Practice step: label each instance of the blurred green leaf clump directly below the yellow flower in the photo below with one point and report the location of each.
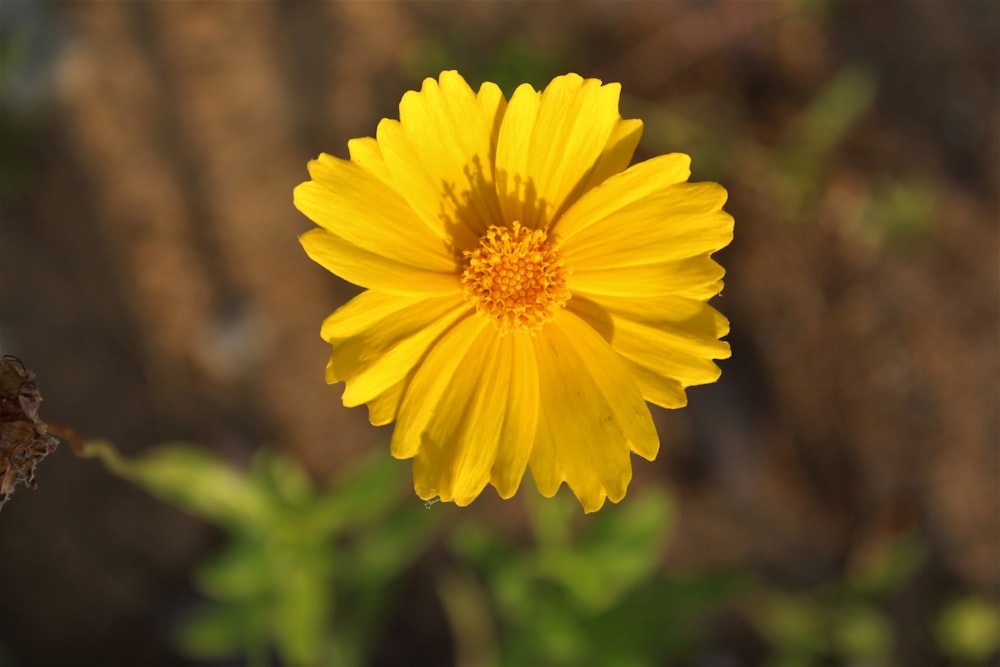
(599, 597)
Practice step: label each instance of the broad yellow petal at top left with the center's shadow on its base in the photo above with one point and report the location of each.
(440, 156)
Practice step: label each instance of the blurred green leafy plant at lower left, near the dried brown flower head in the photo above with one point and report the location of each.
(293, 552)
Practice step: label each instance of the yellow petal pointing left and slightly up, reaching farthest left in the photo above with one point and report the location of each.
(348, 201)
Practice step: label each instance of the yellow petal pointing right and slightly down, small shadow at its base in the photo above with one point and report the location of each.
(673, 338)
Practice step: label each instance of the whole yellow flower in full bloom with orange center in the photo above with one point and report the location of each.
(526, 290)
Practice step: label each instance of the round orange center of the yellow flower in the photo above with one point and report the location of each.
(515, 277)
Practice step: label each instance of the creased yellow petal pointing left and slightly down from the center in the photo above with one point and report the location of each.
(378, 338)
